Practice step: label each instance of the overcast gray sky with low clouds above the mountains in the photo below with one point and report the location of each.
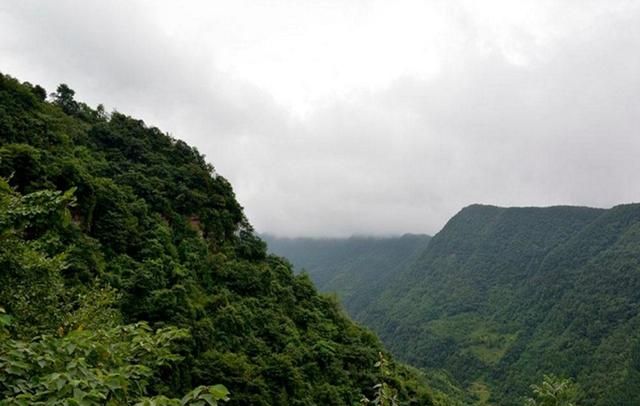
(337, 117)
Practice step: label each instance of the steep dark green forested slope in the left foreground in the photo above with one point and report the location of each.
(128, 273)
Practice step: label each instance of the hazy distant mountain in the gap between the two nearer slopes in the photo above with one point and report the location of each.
(355, 268)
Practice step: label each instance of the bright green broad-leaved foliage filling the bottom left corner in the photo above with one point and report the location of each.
(113, 366)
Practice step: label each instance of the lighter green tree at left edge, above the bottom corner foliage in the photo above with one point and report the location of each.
(31, 266)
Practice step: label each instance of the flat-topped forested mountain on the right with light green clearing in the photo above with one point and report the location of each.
(502, 296)
